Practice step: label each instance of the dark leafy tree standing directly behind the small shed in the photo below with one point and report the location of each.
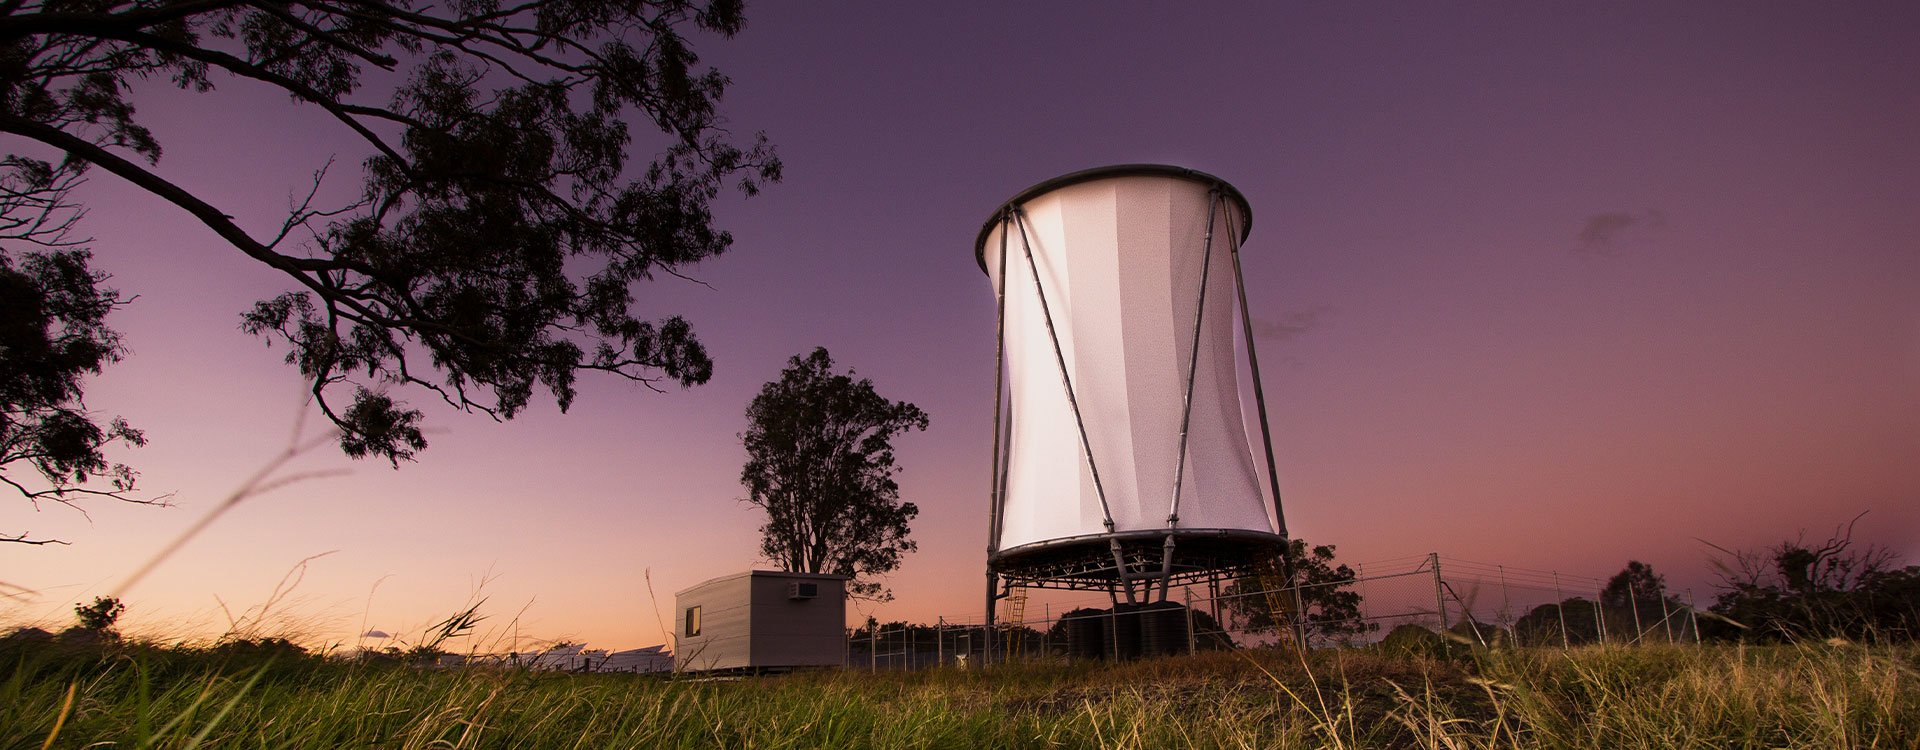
(821, 465)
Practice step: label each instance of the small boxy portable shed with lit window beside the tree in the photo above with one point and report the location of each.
(761, 621)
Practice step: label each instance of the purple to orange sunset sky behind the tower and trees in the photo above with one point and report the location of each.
(1539, 285)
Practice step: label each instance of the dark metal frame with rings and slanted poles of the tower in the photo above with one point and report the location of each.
(1126, 563)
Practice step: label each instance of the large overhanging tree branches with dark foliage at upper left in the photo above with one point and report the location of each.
(500, 229)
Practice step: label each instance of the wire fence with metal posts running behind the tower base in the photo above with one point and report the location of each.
(1477, 603)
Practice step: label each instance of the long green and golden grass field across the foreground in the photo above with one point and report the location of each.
(133, 695)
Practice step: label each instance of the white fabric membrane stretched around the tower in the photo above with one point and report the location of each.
(1120, 262)
